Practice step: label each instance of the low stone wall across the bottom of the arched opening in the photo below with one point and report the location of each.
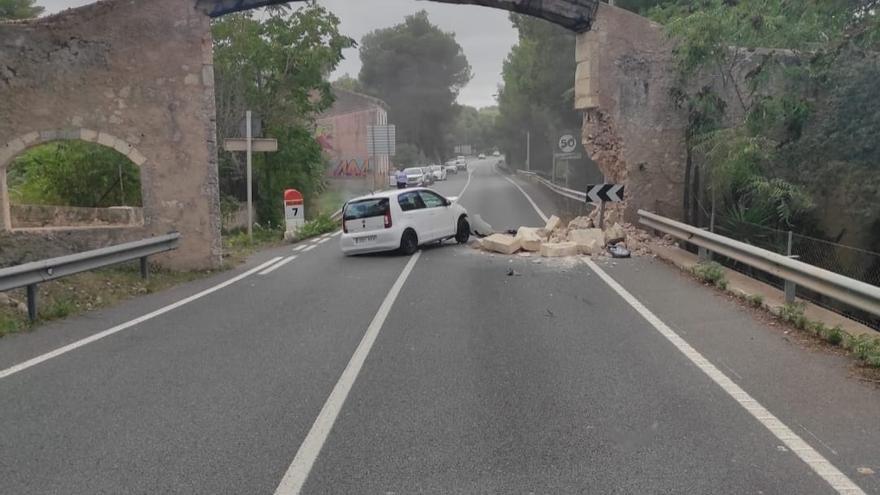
(40, 216)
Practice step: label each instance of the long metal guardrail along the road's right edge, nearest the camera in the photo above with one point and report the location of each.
(844, 289)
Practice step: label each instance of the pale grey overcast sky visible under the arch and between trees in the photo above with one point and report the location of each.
(485, 34)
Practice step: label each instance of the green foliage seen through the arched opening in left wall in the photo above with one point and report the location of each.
(74, 173)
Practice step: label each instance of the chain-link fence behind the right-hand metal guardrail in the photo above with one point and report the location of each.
(852, 262)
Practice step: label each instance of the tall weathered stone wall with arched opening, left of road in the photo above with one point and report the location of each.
(136, 76)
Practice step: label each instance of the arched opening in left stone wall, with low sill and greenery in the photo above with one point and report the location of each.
(61, 181)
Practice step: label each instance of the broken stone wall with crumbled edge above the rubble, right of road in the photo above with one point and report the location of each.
(632, 129)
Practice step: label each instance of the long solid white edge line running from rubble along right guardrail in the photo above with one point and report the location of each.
(838, 481)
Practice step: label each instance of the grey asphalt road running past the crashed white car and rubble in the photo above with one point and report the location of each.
(434, 374)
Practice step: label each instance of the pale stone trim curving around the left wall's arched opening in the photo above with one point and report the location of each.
(20, 144)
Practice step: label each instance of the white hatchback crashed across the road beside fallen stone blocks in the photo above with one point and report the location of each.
(401, 219)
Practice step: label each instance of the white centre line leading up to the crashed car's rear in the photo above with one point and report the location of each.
(299, 469)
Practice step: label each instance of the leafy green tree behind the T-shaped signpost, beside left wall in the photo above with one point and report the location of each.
(277, 68)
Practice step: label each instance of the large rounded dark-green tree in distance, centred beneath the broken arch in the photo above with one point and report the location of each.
(418, 70)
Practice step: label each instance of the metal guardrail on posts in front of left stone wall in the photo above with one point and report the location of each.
(30, 274)
